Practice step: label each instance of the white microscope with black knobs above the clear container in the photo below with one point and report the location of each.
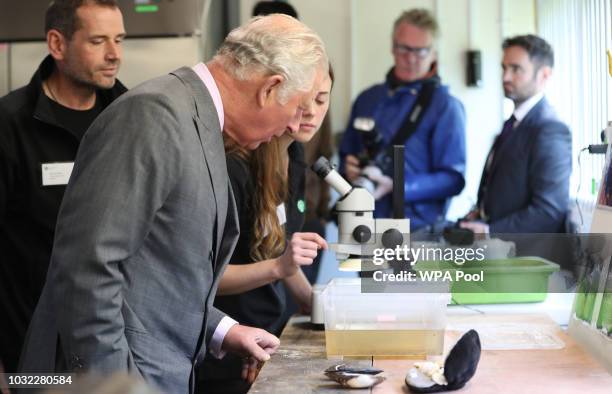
(358, 232)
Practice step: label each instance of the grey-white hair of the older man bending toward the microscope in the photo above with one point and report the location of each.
(275, 45)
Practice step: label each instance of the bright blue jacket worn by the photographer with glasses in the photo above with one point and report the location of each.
(434, 164)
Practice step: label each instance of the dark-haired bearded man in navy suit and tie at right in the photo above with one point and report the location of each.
(525, 183)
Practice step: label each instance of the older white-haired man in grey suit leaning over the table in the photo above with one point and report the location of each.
(148, 219)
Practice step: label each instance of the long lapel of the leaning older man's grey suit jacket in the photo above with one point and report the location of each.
(206, 122)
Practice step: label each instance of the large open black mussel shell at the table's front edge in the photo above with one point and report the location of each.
(460, 365)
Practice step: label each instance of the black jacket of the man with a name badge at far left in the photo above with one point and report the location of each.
(30, 136)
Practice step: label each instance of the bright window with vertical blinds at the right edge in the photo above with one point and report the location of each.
(580, 32)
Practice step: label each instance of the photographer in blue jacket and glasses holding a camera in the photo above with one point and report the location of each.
(410, 108)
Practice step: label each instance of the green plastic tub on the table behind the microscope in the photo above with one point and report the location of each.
(521, 279)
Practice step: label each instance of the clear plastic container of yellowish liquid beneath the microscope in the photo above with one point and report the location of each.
(404, 321)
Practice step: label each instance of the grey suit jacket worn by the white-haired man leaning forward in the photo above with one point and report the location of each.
(147, 224)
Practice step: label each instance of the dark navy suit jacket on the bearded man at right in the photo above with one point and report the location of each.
(528, 183)
